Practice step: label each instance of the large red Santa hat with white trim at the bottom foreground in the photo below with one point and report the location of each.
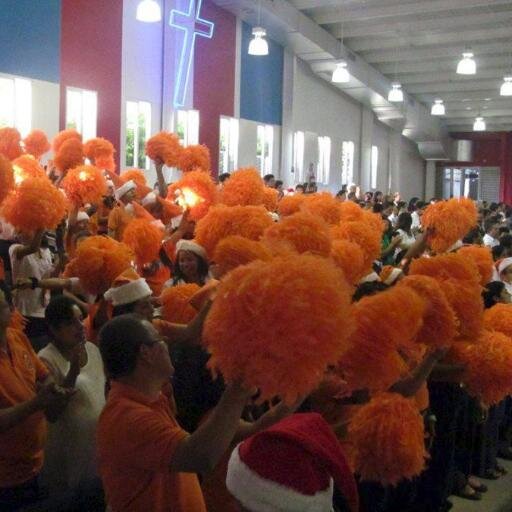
(291, 467)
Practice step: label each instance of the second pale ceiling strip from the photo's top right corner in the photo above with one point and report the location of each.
(410, 25)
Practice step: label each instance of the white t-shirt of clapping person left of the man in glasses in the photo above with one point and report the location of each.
(71, 445)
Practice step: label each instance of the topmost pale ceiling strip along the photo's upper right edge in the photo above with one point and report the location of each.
(363, 12)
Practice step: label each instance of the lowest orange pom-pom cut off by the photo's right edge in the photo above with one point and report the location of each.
(488, 366)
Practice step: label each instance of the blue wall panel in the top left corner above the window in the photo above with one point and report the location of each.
(30, 38)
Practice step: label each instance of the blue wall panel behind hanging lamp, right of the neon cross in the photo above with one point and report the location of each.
(261, 87)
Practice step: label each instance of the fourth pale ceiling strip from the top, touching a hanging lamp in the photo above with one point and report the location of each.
(377, 56)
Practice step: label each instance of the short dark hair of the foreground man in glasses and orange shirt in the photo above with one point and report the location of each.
(120, 342)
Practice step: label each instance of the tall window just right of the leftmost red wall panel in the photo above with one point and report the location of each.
(138, 131)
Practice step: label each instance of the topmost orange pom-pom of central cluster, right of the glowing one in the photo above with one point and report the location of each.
(244, 188)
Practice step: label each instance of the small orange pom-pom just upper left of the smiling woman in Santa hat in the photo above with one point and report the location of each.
(145, 240)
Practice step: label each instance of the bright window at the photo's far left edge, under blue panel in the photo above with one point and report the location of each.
(16, 104)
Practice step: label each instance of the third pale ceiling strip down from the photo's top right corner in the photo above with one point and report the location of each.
(422, 39)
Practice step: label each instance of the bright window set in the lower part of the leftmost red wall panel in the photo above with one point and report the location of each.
(82, 111)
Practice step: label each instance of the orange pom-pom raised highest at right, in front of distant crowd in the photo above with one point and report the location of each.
(450, 221)
